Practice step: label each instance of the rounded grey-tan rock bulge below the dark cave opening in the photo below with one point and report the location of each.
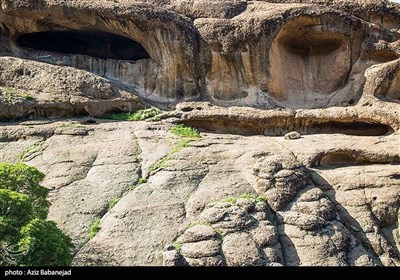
(33, 89)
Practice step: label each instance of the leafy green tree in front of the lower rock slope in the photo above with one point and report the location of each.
(28, 239)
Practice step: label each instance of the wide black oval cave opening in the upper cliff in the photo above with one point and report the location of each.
(92, 43)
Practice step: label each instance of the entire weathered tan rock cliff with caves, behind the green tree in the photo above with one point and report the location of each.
(244, 73)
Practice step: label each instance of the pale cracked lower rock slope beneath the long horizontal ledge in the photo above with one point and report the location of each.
(268, 201)
